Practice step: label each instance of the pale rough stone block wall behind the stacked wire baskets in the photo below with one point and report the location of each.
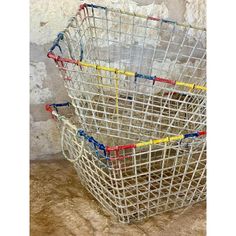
(48, 17)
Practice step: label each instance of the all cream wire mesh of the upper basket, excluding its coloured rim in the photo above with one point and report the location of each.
(127, 108)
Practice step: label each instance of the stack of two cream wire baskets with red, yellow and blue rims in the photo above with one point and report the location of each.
(138, 87)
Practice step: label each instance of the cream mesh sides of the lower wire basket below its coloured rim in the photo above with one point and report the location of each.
(152, 180)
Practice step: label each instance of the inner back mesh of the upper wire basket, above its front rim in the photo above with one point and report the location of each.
(138, 44)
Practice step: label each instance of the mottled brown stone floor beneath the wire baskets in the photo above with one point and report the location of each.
(60, 206)
